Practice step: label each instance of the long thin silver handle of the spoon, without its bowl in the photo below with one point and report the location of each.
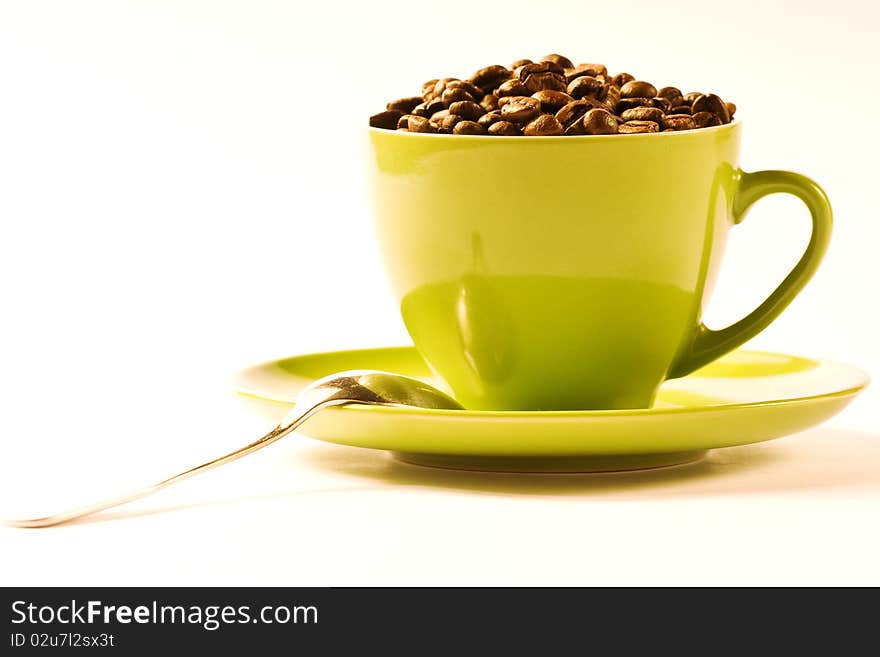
(299, 414)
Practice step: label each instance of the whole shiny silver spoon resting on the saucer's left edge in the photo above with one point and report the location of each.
(369, 387)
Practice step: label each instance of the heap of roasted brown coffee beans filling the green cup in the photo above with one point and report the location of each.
(551, 96)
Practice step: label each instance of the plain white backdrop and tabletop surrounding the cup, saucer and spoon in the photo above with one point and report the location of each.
(182, 194)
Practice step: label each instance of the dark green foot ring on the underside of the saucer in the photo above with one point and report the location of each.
(551, 464)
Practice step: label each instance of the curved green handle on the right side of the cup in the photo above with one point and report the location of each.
(707, 345)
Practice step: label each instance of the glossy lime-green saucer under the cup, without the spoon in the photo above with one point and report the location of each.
(744, 397)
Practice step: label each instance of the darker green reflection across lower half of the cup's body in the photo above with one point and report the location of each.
(501, 342)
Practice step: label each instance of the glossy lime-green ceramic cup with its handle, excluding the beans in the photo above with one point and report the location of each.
(547, 273)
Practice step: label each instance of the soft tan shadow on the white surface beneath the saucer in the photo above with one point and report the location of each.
(820, 458)
